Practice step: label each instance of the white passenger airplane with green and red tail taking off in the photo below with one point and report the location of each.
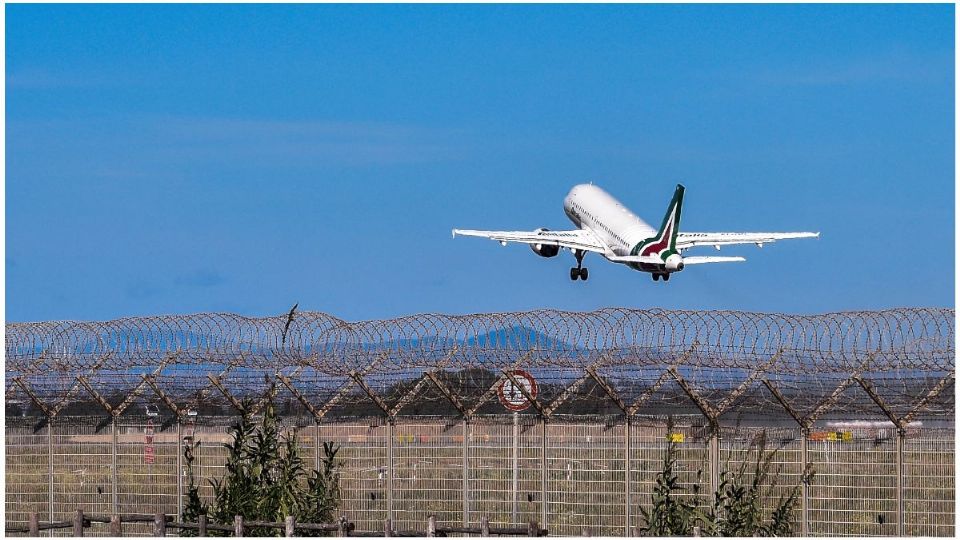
(607, 227)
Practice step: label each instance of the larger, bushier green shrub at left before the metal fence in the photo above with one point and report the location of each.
(265, 478)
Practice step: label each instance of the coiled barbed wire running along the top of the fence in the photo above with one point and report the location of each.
(903, 353)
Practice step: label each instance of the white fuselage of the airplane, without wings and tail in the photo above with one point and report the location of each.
(590, 207)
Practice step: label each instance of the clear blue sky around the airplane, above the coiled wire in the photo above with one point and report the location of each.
(177, 159)
